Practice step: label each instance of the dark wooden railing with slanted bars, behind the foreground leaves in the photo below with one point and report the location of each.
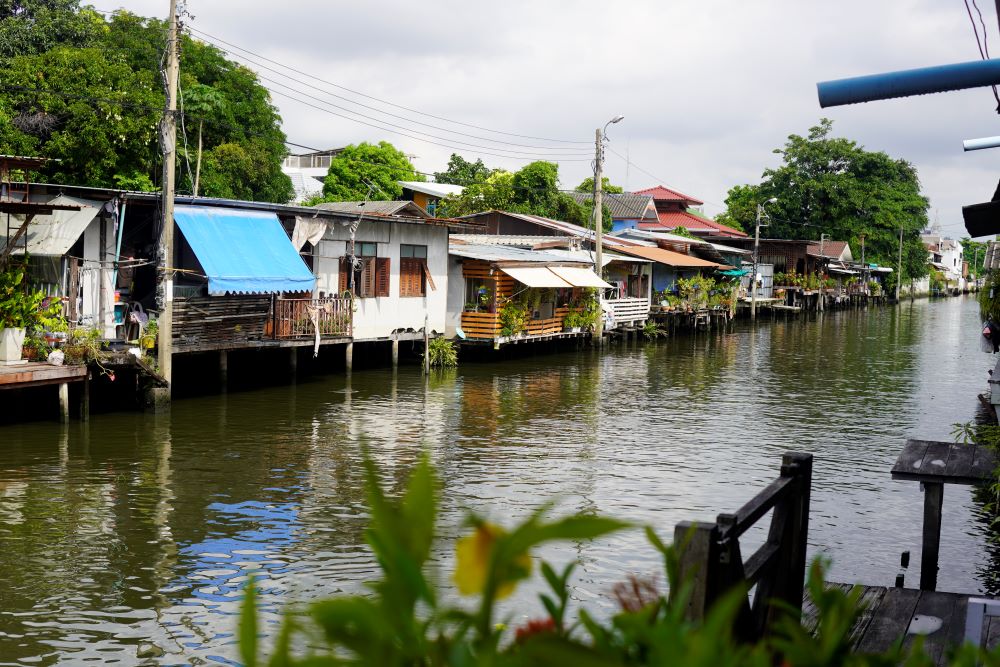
(712, 564)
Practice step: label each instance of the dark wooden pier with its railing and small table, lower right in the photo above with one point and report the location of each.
(710, 558)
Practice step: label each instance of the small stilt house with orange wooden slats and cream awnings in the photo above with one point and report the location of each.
(488, 284)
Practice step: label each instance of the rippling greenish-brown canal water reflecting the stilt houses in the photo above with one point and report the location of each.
(128, 539)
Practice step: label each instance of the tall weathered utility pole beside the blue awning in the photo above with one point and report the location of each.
(168, 140)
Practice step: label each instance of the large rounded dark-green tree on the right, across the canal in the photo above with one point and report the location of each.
(834, 186)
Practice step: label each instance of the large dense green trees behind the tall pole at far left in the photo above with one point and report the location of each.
(86, 90)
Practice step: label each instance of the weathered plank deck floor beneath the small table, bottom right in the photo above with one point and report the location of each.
(893, 613)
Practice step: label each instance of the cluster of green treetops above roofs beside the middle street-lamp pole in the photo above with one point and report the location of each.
(533, 189)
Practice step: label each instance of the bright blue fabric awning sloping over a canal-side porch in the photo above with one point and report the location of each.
(245, 252)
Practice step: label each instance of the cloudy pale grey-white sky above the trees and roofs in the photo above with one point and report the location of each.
(708, 88)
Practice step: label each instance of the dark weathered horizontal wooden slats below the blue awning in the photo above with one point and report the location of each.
(210, 323)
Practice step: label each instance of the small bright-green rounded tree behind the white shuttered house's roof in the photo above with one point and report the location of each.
(357, 166)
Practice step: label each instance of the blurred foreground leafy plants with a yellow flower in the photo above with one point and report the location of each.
(406, 621)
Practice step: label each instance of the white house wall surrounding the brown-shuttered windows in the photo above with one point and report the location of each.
(380, 317)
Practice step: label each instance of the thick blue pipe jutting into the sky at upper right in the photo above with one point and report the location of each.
(921, 81)
